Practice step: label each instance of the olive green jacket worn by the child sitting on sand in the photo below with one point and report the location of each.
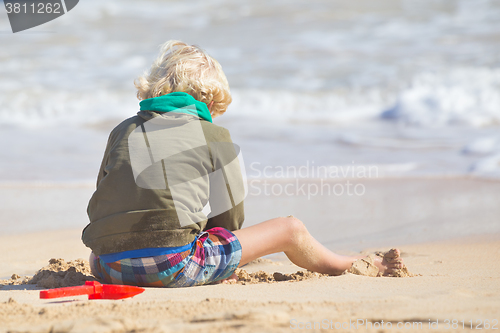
(128, 214)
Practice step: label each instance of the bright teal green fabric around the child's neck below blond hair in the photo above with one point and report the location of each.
(175, 102)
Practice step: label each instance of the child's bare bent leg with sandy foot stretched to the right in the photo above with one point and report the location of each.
(289, 235)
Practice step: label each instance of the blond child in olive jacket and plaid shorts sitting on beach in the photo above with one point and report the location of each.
(168, 207)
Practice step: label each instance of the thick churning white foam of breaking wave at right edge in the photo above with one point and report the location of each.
(468, 96)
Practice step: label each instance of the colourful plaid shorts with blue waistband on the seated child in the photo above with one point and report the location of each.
(215, 255)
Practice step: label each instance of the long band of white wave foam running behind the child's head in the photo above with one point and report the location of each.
(467, 96)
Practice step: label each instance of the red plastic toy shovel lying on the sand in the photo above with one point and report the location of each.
(95, 290)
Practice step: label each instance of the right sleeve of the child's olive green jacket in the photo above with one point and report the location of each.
(227, 188)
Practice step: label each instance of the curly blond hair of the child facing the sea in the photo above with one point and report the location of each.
(186, 68)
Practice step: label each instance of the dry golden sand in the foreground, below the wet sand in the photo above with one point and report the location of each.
(456, 279)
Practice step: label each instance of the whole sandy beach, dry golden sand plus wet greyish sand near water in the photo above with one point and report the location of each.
(447, 230)
